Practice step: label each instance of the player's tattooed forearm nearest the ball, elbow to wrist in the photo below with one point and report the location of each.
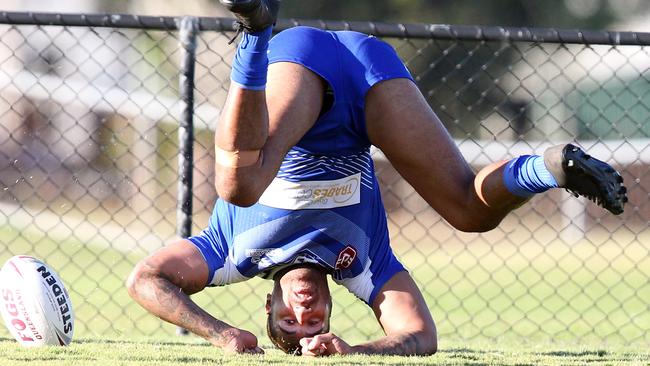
(167, 301)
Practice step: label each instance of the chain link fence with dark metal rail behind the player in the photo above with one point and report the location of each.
(94, 120)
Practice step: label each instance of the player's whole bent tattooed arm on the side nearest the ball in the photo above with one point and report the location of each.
(162, 284)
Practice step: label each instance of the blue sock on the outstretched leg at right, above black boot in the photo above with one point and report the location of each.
(527, 175)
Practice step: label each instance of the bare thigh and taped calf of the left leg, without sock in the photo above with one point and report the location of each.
(257, 129)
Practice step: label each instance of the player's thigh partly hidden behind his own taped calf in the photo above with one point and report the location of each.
(294, 97)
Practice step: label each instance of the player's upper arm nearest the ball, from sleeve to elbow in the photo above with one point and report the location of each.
(181, 263)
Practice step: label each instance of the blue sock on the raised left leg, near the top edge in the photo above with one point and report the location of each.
(251, 63)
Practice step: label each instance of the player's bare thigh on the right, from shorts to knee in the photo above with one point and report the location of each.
(400, 122)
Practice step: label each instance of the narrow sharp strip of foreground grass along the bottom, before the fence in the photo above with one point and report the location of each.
(111, 352)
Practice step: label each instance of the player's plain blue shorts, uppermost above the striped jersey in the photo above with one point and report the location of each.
(351, 63)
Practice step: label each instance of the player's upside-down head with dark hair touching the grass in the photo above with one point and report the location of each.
(299, 306)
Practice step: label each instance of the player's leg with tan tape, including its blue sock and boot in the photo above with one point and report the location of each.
(269, 108)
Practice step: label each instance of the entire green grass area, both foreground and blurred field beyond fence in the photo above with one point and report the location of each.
(517, 304)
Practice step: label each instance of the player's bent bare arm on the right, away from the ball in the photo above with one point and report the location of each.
(404, 316)
